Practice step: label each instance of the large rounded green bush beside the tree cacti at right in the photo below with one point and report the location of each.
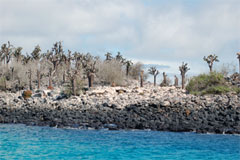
(212, 83)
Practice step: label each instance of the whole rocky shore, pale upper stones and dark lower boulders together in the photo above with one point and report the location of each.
(155, 108)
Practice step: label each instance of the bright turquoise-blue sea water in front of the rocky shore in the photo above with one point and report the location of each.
(32, 142)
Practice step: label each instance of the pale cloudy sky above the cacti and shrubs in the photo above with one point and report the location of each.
(164, 32)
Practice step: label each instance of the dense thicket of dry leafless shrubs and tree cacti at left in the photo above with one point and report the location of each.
(57, 68)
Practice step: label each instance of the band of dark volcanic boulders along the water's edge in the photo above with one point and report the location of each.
(215, 114)
